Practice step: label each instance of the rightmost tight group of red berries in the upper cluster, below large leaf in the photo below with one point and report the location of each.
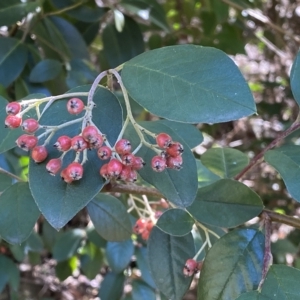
(170, 157)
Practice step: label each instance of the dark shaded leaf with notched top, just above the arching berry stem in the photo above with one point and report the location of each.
(119, 47)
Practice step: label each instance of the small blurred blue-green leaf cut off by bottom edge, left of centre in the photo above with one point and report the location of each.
(111, 287)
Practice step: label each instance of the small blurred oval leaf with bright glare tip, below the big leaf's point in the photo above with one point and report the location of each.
(67, 244)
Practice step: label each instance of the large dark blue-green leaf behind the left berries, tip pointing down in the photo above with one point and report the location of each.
(59, 201)
